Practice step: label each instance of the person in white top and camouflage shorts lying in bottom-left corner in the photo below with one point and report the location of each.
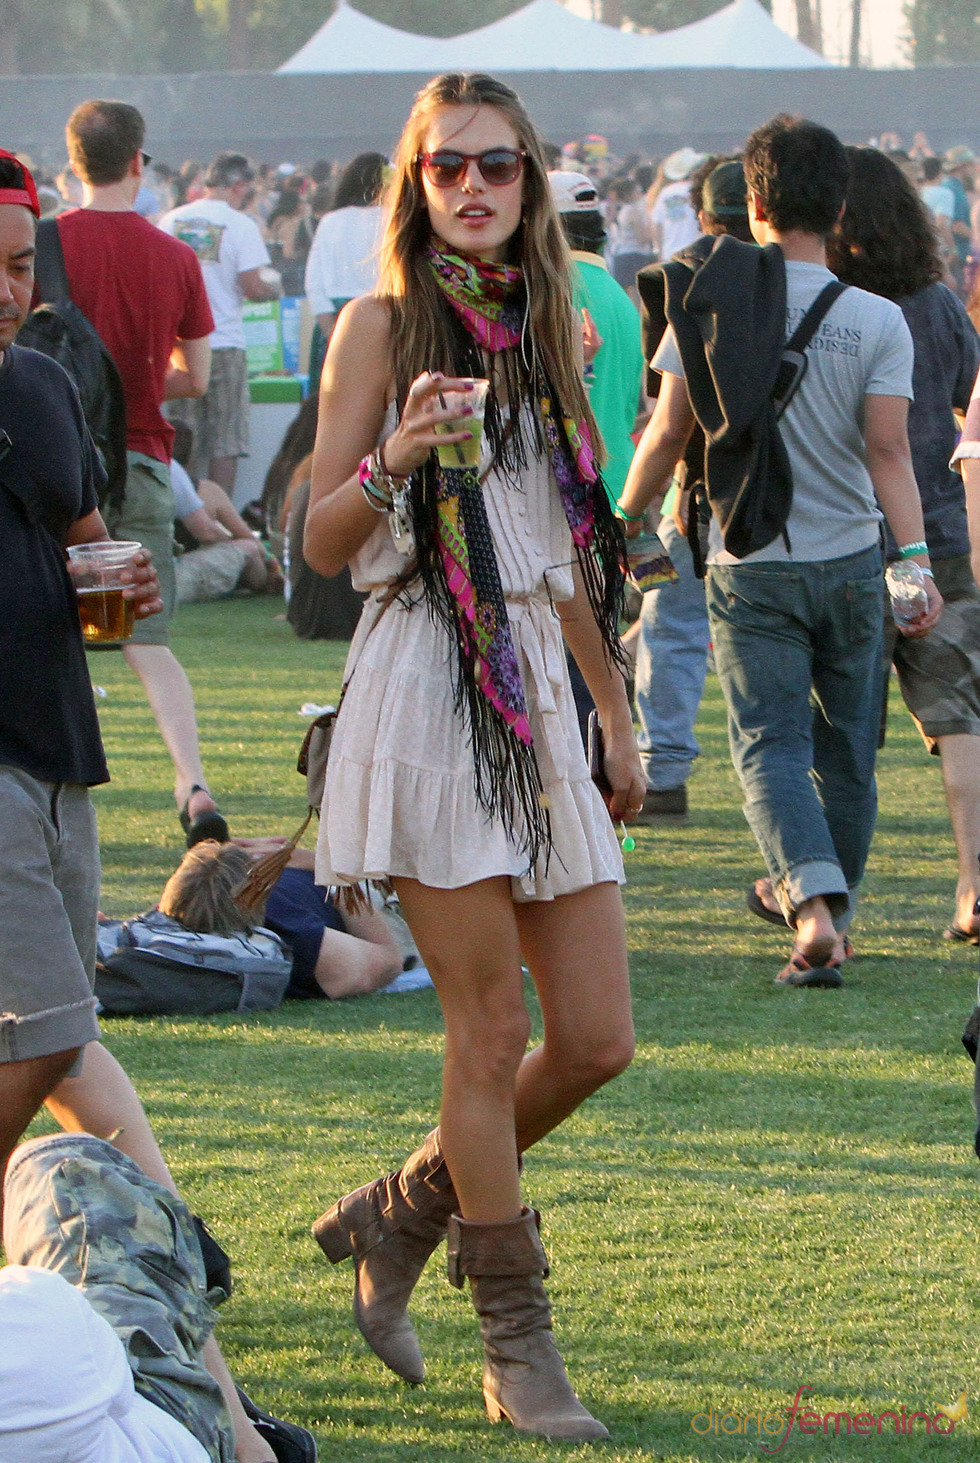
(106, 1320)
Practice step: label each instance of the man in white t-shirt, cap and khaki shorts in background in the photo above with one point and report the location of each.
(233, 255)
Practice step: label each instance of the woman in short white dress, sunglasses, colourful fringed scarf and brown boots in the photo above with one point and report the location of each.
(457, 767)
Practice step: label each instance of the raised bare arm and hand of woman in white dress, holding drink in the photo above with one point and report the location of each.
(355, 393)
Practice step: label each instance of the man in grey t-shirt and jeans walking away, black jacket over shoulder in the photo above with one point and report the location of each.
(802, 447)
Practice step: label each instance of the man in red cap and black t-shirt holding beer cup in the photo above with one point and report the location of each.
(50, 744)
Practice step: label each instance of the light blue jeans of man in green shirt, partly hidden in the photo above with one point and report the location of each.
(672, 658)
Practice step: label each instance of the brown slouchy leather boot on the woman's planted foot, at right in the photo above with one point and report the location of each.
(524, 1379)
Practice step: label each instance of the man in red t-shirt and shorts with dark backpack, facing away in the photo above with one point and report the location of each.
(146, 296)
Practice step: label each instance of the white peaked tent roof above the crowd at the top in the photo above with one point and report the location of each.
(546, 37)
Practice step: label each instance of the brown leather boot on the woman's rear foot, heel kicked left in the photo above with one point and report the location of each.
(391, 1230)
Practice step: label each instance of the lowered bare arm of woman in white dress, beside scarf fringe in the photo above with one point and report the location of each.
(608, 690)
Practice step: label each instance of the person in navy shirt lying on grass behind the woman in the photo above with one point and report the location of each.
(334, 955)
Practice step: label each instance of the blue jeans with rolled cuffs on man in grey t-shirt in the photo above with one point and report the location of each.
(798, 652)
